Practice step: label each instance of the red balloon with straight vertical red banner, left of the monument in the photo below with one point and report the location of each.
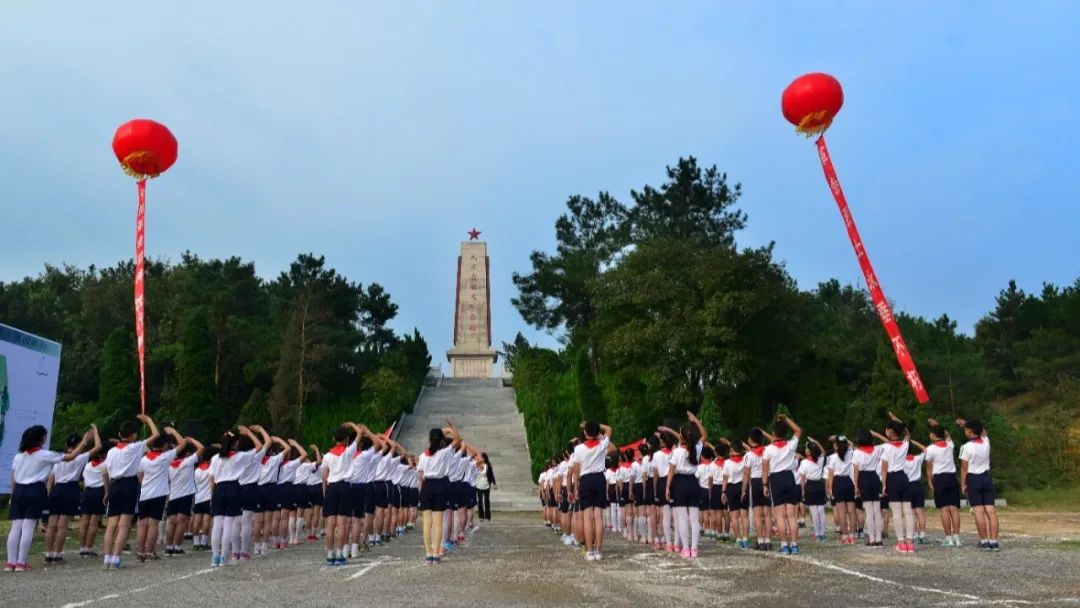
(145, 150)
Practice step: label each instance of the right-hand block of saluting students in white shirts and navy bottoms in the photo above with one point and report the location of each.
(765, 482)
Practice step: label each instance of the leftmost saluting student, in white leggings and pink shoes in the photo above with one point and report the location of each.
(30, 471)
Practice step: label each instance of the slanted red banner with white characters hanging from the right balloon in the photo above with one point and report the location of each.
(877, 296)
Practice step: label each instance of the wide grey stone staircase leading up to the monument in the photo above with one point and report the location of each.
(489, 418)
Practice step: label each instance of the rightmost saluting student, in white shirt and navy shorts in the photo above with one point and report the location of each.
(977, 484)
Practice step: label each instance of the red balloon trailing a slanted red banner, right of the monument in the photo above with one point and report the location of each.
(811, 103)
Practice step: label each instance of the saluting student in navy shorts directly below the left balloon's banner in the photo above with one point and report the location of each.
(121, 466)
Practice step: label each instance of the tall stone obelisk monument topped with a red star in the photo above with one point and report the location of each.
(472, 356)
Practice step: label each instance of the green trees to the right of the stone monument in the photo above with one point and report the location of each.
(660, 313)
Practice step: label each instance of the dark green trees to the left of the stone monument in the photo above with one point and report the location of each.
(295, 354)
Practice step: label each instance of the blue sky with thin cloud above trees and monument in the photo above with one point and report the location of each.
(379, 134)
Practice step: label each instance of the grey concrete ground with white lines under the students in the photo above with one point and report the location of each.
(515, 561)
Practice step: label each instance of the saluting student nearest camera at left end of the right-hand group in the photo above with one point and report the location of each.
(588, 484)
